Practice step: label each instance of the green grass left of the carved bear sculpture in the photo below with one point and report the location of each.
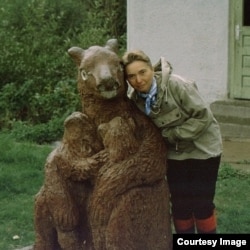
(21, 175)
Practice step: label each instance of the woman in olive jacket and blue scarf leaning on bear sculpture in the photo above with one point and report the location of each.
(192, 135)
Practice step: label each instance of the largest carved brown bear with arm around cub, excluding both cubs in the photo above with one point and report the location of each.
(142, 220)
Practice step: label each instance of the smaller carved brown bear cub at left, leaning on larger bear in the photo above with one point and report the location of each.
(60, 208)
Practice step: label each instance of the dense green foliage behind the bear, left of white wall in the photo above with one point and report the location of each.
(37, 78)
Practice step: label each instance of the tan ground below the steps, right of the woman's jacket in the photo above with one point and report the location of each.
(237, 153)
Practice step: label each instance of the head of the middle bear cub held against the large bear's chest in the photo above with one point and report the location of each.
(119, 138)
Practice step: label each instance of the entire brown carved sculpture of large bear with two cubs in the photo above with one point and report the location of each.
(105, 186)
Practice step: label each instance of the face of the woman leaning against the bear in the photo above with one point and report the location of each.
(140, 76)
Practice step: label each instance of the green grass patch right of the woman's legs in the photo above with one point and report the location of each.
(232, 200)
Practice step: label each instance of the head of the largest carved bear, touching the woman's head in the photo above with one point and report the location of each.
(100, 70)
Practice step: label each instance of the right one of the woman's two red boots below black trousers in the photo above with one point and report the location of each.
(207, 225)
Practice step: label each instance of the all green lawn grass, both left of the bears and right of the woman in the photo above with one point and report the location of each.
(21, 176)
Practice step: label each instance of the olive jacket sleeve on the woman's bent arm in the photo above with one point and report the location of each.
(197, 112)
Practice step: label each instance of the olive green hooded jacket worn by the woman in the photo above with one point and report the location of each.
(184, 119)
